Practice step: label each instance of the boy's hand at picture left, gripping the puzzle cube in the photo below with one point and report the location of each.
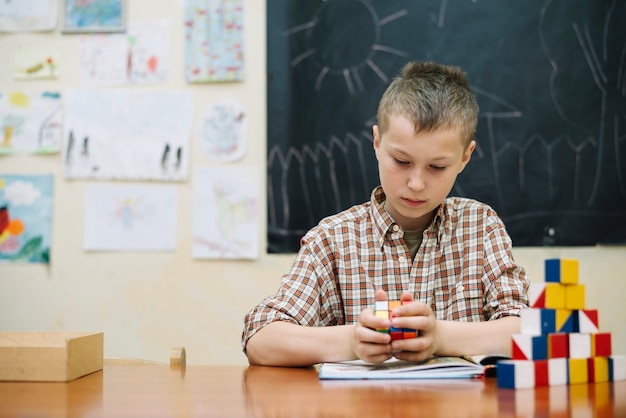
(368, 344)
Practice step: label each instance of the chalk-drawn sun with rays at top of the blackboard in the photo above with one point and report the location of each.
(336, 50)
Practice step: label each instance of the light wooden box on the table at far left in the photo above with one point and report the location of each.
(49, 356)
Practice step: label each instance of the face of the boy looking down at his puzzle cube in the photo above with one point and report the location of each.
(417, 171)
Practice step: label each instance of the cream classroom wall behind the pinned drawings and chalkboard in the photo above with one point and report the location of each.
(147, 302)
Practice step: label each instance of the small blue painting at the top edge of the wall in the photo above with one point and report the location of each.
(94, 16)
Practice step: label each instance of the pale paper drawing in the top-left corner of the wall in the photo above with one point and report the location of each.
(28, 15)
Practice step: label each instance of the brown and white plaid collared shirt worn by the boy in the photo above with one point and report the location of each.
(464, 268)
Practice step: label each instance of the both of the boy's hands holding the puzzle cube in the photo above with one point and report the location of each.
(374, 347)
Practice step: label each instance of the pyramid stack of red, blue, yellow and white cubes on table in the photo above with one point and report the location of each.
(560, 342)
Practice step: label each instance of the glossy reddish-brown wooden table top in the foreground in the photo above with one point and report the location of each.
(238, 391)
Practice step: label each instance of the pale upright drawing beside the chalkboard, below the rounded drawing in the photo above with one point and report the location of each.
(225, 213)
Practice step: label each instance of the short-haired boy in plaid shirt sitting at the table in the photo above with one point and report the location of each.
(450, 258)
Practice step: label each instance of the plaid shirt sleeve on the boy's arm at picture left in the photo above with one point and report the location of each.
(307, 295)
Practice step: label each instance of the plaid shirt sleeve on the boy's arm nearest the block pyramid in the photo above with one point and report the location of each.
(506, 283)
